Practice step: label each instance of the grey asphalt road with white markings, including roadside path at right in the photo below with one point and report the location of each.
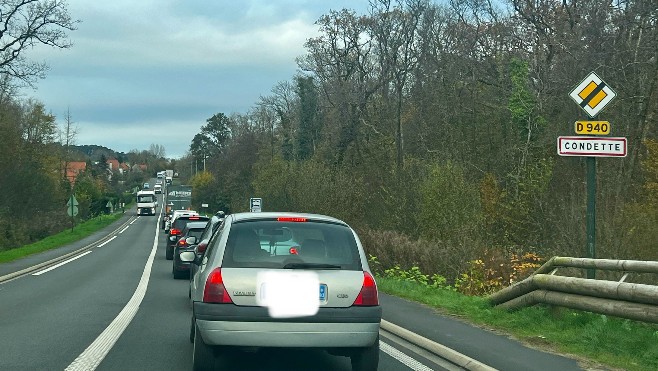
(118, 308)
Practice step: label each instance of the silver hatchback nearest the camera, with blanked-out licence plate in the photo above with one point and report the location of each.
(284, 280)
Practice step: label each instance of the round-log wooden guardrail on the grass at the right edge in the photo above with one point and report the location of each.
(616, 298)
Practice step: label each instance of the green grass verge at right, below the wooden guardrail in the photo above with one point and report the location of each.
(591, 338)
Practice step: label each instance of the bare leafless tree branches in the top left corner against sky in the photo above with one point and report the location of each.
(25, 24)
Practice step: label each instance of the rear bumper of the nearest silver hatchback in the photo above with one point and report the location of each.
(228, 324)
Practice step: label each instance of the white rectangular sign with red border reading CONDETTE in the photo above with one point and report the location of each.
(592, 146)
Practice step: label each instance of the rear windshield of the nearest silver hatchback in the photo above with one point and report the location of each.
(291, 245)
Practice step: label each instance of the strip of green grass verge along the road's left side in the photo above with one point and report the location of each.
(66, 237)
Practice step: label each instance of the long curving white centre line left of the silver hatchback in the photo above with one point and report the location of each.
(94, 354)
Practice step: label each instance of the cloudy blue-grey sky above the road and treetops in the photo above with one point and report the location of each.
(152, 71)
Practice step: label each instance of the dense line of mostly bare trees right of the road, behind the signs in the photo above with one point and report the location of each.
(438, 122)
